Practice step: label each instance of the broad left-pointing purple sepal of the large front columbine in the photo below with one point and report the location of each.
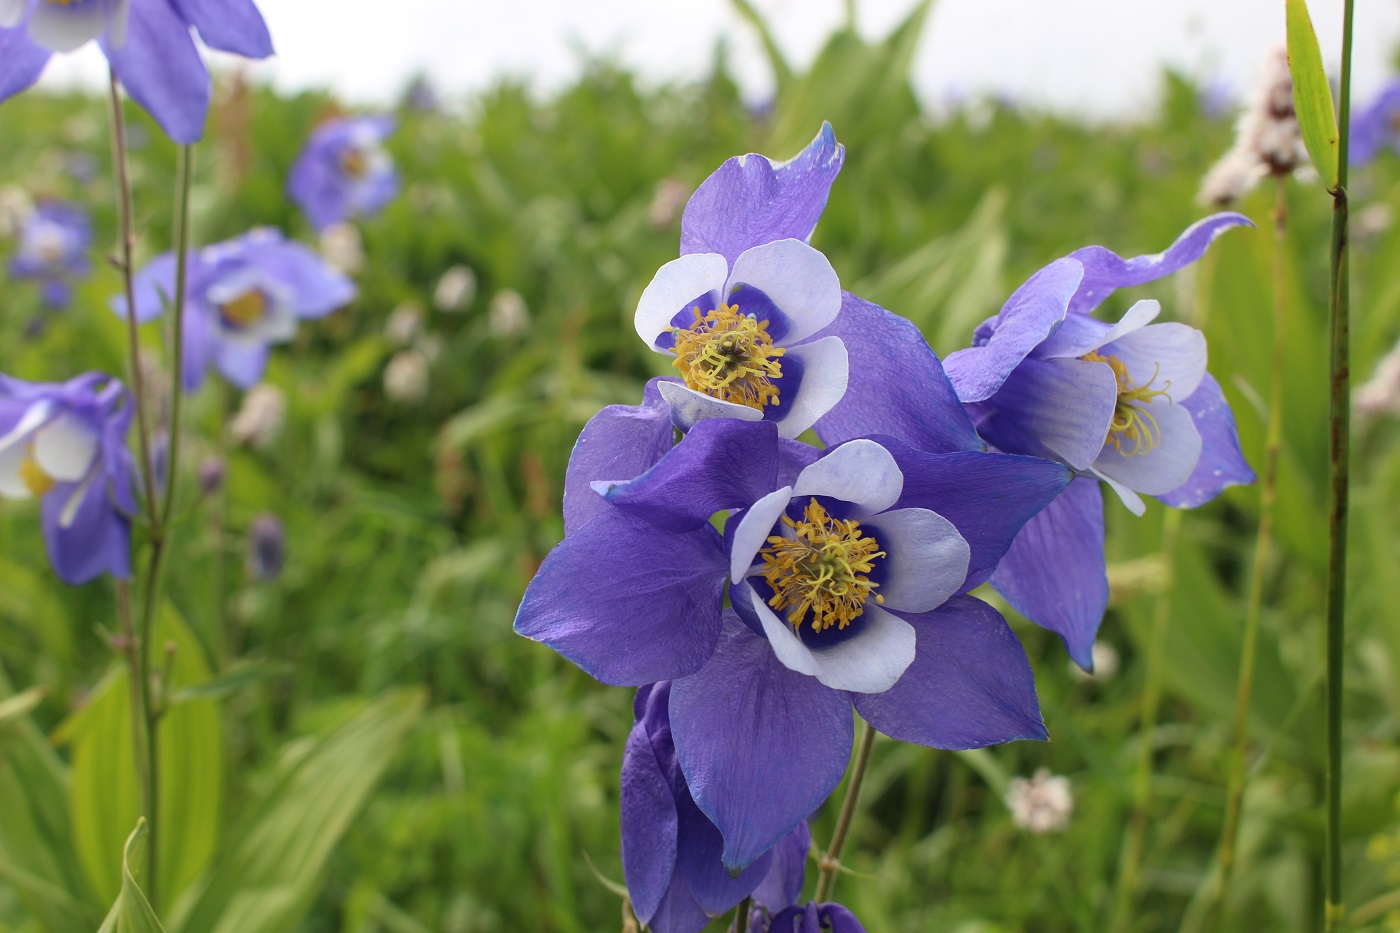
(629, 603)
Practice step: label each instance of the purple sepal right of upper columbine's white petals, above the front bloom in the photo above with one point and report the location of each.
(897, 385)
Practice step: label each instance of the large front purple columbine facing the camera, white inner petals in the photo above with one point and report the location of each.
(850, 586)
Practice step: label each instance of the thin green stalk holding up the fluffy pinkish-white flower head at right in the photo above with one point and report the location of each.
(1255, 600)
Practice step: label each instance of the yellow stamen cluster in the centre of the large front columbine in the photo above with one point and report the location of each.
(821, 568)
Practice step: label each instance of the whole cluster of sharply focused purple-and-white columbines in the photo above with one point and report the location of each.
(757, 588)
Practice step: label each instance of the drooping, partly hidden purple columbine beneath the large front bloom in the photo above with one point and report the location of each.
(671, 851)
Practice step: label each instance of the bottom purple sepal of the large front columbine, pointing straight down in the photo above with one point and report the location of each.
(761, 746)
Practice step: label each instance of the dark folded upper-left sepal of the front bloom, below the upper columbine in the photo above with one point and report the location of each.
(722, 464)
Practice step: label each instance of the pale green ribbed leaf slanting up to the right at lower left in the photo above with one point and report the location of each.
(269, 878)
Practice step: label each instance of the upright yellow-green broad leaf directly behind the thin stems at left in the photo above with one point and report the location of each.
(106, 796)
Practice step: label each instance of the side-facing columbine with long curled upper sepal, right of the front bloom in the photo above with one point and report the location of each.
(1130, 404)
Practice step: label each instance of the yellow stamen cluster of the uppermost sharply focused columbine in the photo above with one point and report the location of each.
(730, 357)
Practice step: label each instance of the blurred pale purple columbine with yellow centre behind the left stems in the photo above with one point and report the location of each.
(241, 296)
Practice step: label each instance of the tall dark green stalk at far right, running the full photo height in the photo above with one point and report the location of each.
(1340, 457)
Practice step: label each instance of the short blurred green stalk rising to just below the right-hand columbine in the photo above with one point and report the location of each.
(1130, 859)
